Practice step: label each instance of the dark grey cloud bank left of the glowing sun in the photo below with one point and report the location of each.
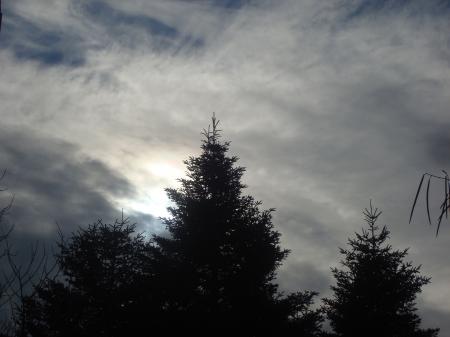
(52, 182)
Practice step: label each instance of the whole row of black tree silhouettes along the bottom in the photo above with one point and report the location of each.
(213, 273)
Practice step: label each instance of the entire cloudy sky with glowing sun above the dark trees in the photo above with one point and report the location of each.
(328, 103)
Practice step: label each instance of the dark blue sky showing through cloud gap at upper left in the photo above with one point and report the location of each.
(52, 45)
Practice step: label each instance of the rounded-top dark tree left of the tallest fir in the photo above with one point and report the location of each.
(104, 287)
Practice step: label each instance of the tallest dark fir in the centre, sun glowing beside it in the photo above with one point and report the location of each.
(222, 252)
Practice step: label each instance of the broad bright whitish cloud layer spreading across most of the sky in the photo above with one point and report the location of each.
(325, 110)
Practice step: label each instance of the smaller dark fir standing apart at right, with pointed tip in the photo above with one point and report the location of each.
(376, 290)
